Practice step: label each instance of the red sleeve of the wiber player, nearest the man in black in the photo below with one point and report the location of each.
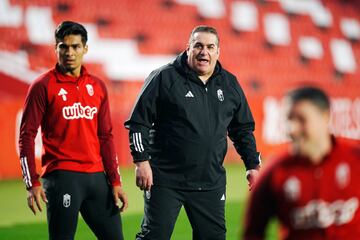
(107, 148)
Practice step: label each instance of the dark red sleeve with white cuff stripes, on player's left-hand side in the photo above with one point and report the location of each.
(34, 108)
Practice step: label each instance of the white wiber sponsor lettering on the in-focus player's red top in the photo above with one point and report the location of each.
(77, 111)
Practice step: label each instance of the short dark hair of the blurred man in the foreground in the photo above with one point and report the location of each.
(313, 94)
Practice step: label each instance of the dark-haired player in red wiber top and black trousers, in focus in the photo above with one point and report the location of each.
(79, 163)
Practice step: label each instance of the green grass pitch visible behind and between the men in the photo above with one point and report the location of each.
(18, 223)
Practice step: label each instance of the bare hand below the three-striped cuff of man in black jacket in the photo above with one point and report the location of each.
(143, 175)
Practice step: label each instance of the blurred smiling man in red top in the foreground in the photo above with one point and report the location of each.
(313, 189)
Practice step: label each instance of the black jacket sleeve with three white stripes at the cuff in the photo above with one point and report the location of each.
(142, 118)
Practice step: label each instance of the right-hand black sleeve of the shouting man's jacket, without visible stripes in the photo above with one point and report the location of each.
(241, 130)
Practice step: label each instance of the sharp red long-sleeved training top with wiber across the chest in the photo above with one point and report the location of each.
(75, 123)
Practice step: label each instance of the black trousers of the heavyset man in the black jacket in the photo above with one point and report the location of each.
(205, 210)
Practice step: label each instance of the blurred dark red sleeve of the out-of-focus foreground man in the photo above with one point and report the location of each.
(261, 207)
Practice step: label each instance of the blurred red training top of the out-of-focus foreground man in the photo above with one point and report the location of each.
(310, 201)
